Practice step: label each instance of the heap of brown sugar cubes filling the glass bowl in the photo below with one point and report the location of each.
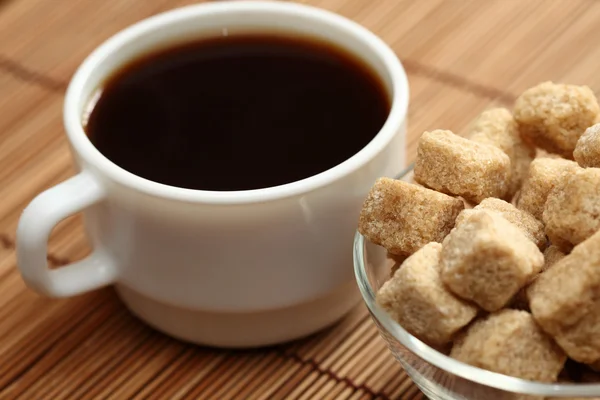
(497, 242)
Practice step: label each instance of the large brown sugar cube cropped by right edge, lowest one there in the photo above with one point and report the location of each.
(565, 303)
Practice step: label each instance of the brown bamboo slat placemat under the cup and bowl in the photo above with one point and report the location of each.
(461, 56)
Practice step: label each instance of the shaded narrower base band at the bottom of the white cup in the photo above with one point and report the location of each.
(242, 330)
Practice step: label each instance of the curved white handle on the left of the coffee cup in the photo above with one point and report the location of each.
(36, 224)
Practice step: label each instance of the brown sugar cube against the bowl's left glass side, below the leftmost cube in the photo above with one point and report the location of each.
(416, 298)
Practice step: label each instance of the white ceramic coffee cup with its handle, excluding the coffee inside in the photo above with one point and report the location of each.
(231, 269)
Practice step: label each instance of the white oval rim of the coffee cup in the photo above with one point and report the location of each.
(88, 152)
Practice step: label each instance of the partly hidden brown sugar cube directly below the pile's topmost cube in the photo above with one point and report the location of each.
(543, 175)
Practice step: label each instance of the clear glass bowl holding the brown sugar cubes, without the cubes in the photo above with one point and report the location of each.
(438, 376)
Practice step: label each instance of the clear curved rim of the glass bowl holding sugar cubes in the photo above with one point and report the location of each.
(444, 362)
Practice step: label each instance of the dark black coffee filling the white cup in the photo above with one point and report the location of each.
(238, 112)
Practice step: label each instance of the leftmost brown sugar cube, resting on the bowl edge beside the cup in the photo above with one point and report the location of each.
(403, 217)
